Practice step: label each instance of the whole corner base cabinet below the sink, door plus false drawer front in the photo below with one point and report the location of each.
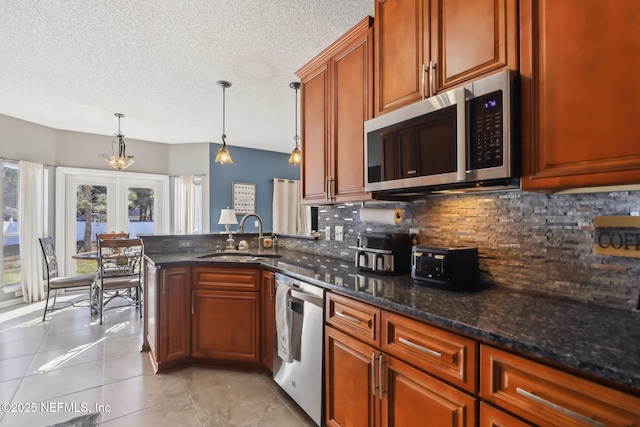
(225, 308)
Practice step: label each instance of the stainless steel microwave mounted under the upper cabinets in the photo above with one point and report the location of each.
(462, 138)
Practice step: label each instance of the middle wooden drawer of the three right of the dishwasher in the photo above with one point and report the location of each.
(442, 354)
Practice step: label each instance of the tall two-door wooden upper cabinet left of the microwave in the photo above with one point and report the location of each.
(336, 99)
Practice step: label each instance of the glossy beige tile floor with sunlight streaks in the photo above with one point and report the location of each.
(70, 365)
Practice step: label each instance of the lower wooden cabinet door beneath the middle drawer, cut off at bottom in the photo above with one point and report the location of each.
(412, 398)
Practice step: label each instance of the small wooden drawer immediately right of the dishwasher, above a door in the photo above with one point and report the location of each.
(355, 318)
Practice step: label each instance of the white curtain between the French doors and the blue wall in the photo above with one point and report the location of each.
(187, 211)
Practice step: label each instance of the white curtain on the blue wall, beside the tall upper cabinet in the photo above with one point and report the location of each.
(289, 216)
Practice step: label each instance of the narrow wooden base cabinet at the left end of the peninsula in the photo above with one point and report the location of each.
(167, 308)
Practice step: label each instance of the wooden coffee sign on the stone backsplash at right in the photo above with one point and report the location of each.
(617, 235)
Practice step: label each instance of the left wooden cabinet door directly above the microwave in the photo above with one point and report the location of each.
(401, 50)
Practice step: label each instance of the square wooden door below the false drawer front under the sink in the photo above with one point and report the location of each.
(225, 325)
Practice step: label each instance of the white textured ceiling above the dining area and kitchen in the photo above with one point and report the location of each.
(71, 64)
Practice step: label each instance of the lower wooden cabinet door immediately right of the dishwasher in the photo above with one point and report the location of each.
(349, 381)
